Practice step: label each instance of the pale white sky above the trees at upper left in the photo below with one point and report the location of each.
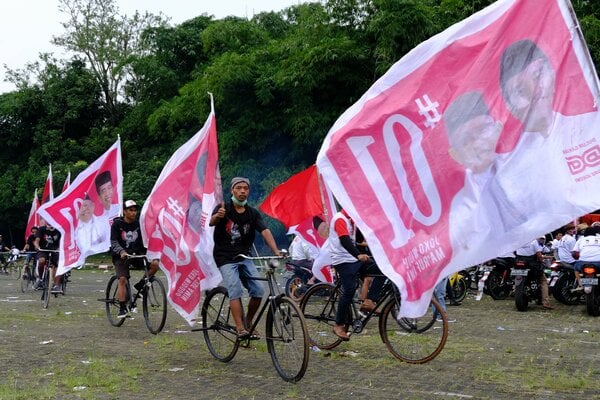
(27, 26)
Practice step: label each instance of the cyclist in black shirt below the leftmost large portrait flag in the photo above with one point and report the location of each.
(48, 238)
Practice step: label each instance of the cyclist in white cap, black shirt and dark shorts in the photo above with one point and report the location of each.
(126, 239)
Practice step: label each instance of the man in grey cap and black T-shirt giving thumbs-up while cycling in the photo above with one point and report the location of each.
(235, 225)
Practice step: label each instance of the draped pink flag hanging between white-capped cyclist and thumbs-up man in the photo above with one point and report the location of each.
(175, 219)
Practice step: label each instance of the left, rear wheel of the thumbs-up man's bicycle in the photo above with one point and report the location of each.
(218, 326)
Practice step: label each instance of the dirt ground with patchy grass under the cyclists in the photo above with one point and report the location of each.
(70, 351)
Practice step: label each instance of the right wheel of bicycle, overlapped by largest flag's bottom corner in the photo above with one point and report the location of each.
(413, 340)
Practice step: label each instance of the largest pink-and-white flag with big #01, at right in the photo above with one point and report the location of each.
(476, 142)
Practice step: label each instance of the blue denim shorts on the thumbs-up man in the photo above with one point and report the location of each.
(234, 276)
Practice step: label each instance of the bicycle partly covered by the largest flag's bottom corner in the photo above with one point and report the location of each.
(413, 340)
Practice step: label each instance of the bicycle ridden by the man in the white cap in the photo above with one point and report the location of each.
(153, 295)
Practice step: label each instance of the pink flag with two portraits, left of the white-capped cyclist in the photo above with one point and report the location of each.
(84, 212)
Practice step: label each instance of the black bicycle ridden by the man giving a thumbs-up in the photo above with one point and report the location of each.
(286, 333)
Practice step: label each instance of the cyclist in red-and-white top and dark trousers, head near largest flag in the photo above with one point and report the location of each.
(349, 264)
